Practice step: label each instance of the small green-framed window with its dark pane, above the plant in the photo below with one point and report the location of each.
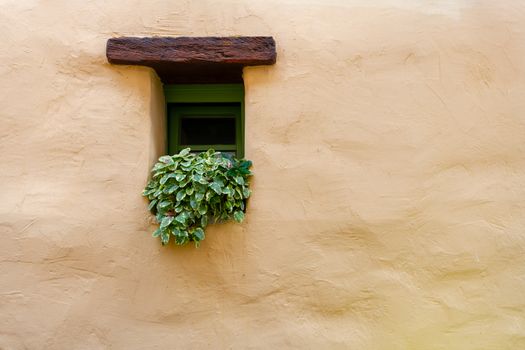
(203, 116)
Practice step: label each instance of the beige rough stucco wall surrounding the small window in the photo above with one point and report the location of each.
(389, 195)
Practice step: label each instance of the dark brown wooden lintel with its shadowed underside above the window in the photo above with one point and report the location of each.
(193, 59)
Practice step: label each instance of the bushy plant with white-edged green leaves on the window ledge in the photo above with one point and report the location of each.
(187, 191)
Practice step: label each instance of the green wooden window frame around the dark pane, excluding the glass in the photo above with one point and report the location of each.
(204, 101)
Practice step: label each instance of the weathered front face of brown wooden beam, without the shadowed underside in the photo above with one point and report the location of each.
(244, 51)
